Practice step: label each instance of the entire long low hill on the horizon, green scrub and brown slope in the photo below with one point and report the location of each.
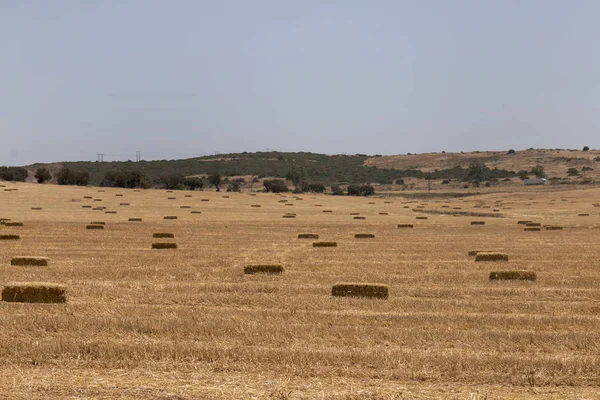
(352, 169)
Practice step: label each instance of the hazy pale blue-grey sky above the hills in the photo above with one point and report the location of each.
(179, 78)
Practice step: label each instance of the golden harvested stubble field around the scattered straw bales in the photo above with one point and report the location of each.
(187, 323)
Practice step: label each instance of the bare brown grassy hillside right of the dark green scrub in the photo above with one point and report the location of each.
(555, 162)
